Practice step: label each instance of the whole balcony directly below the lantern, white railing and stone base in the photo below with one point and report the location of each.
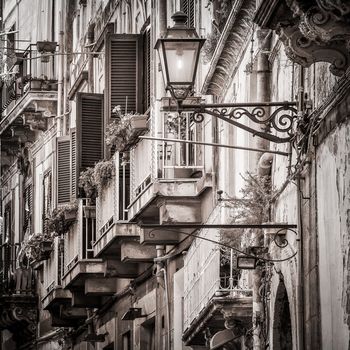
(175, 176)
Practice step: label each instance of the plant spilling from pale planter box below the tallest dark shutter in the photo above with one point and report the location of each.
(122, 133)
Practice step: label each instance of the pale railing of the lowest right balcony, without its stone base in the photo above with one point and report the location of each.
(213, 279)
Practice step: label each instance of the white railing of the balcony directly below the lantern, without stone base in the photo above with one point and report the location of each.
(167, 159)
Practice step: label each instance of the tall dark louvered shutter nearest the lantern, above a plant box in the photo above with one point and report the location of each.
(124, 72)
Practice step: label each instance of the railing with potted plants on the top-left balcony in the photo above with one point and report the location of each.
(28, 73)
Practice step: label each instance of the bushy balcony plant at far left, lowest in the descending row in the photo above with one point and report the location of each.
(38, 246)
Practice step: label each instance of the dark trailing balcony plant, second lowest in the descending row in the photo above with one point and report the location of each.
(62, 218)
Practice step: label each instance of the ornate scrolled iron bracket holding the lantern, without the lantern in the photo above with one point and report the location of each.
(282, 119)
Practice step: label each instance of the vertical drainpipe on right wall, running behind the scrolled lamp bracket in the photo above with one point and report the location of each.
(264, 168)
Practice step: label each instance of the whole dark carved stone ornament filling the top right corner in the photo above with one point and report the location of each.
(310, 32)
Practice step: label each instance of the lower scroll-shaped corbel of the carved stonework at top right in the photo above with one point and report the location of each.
(304, 51)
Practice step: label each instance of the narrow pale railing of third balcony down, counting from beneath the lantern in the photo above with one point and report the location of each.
(79, 240)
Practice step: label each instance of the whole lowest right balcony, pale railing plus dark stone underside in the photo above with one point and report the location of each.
(215, 294)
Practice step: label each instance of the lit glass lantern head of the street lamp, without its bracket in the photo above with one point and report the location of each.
(179, 54)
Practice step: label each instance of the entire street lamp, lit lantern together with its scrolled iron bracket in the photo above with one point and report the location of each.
(179, 52)
